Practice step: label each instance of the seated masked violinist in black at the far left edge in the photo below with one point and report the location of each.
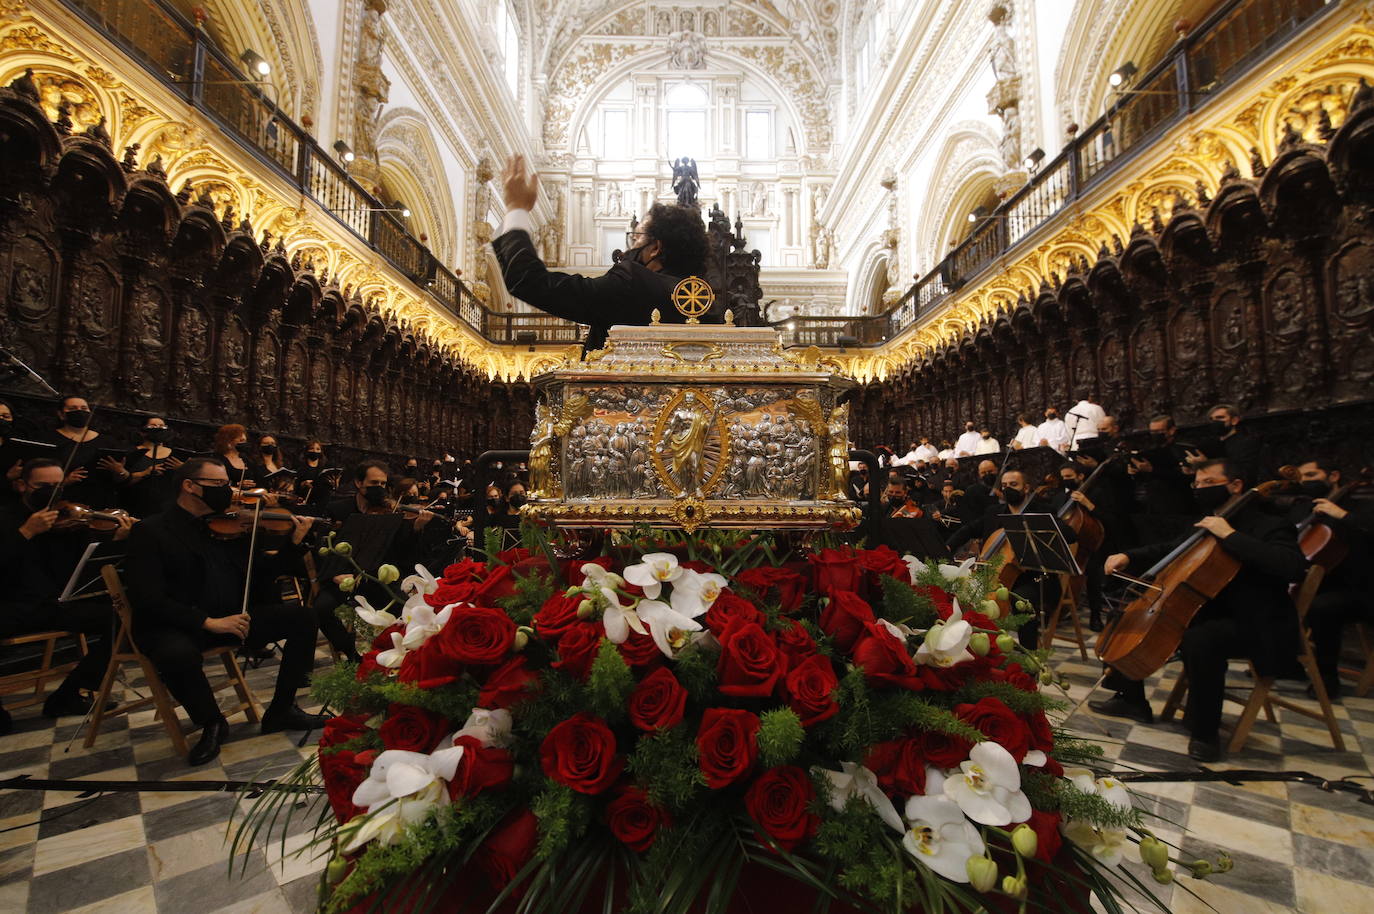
(39, 550)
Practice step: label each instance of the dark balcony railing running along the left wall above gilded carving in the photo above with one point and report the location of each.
(189, 64)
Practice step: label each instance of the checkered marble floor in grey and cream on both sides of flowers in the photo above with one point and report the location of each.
(1296, 849)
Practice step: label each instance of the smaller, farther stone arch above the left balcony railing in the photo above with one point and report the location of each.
(414, 170)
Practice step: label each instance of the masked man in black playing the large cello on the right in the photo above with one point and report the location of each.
(1251, 618)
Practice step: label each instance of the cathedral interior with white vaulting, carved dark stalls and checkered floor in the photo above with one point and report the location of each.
(278, 215)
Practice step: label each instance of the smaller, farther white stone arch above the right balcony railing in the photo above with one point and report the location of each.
(965, 168)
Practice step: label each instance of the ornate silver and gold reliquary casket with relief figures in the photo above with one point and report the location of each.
(692, 425)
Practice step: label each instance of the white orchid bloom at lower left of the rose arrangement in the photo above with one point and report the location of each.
(401, 791)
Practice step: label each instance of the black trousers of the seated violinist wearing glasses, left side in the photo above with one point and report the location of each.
(178, 656)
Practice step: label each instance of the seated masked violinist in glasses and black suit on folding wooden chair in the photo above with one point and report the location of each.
(188, 590)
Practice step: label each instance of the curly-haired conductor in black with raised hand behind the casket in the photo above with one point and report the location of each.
(667, 247)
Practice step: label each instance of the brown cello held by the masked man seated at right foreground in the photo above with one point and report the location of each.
(1151, 629)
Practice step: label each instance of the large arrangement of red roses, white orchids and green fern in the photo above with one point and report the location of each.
(688, 720)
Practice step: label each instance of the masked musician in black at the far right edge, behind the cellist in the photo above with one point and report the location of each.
(1344, 596)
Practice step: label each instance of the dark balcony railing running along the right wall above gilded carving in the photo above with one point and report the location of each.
(1230, 43)
